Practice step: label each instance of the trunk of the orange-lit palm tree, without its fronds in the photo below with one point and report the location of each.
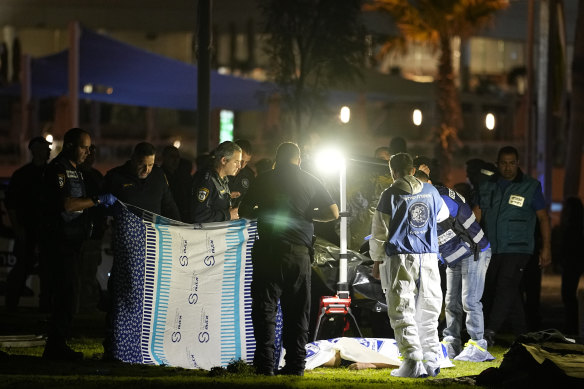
(449, 110)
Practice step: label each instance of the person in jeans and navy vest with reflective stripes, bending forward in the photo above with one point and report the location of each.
(465, 250)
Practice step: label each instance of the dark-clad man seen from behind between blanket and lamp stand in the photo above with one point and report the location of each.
(288, 200)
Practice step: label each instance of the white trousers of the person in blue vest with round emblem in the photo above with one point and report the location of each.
(414, 299)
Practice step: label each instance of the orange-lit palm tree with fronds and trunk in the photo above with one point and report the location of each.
(437, 22)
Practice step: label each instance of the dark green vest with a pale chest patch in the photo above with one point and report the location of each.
(508, 216)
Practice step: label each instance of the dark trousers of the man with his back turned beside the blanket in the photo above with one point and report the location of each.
(281, 271)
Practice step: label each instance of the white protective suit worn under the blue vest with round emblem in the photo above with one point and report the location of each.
(411, 283)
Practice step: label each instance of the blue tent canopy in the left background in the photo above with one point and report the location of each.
(123, 74)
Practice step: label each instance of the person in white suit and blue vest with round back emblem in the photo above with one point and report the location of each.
(404, 248)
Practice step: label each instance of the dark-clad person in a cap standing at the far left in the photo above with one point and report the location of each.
(24, 207)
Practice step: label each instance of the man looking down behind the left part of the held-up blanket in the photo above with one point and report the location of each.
(139, 182)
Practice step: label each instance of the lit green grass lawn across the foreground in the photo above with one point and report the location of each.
(22, 368)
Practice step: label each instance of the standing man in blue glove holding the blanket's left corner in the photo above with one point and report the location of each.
(66, 224)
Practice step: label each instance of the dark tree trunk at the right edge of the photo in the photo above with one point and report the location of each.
(574, 158)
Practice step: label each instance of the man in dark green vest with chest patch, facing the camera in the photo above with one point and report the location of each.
(509, 203)
